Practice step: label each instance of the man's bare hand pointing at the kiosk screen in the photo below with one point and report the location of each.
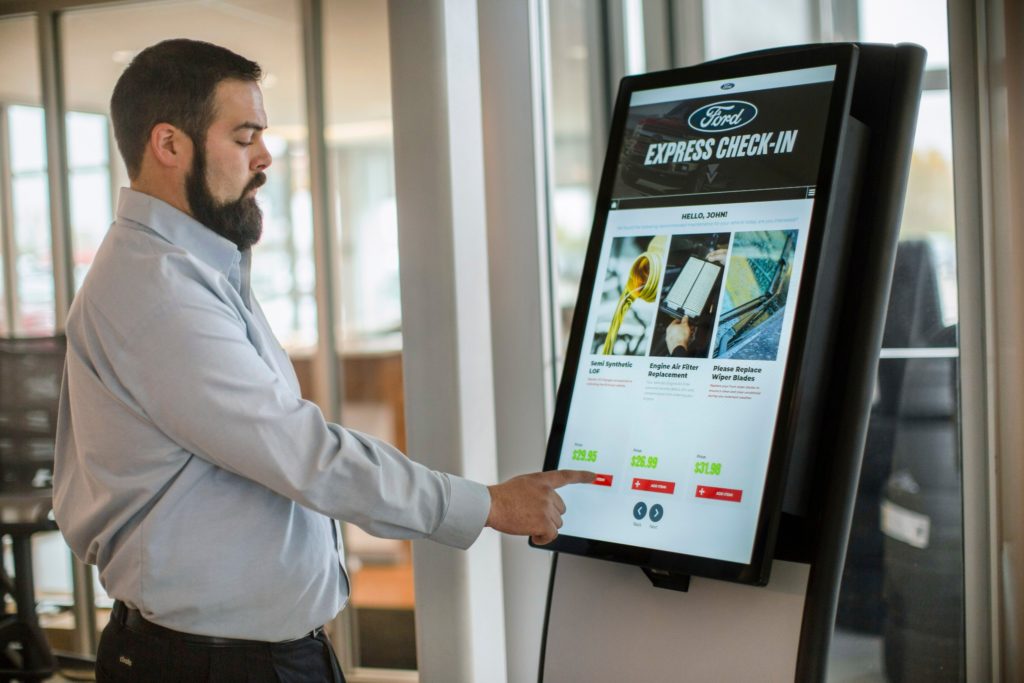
(528, 505)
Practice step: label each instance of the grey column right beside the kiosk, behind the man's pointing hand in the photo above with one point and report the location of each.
(515, 143)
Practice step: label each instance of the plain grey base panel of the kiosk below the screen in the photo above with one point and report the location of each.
(608, 624)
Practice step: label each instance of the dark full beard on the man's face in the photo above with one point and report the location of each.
(241, 221)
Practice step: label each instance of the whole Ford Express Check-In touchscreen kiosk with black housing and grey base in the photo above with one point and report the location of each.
(721, 364)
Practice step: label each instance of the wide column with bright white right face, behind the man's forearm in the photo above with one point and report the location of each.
(447, 321)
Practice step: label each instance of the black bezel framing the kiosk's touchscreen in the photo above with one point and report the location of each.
(844, 58)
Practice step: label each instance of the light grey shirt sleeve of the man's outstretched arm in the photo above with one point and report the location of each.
(198, 377)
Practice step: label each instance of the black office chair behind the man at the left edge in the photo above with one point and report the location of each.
(31, 372)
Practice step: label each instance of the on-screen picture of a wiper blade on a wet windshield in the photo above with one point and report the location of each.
(756, 292)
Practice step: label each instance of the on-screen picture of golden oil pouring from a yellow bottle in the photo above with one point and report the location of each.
(631, 287)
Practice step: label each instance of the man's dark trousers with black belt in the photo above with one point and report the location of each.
(131, 653)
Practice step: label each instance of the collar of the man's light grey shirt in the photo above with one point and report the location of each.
(180, 229)
